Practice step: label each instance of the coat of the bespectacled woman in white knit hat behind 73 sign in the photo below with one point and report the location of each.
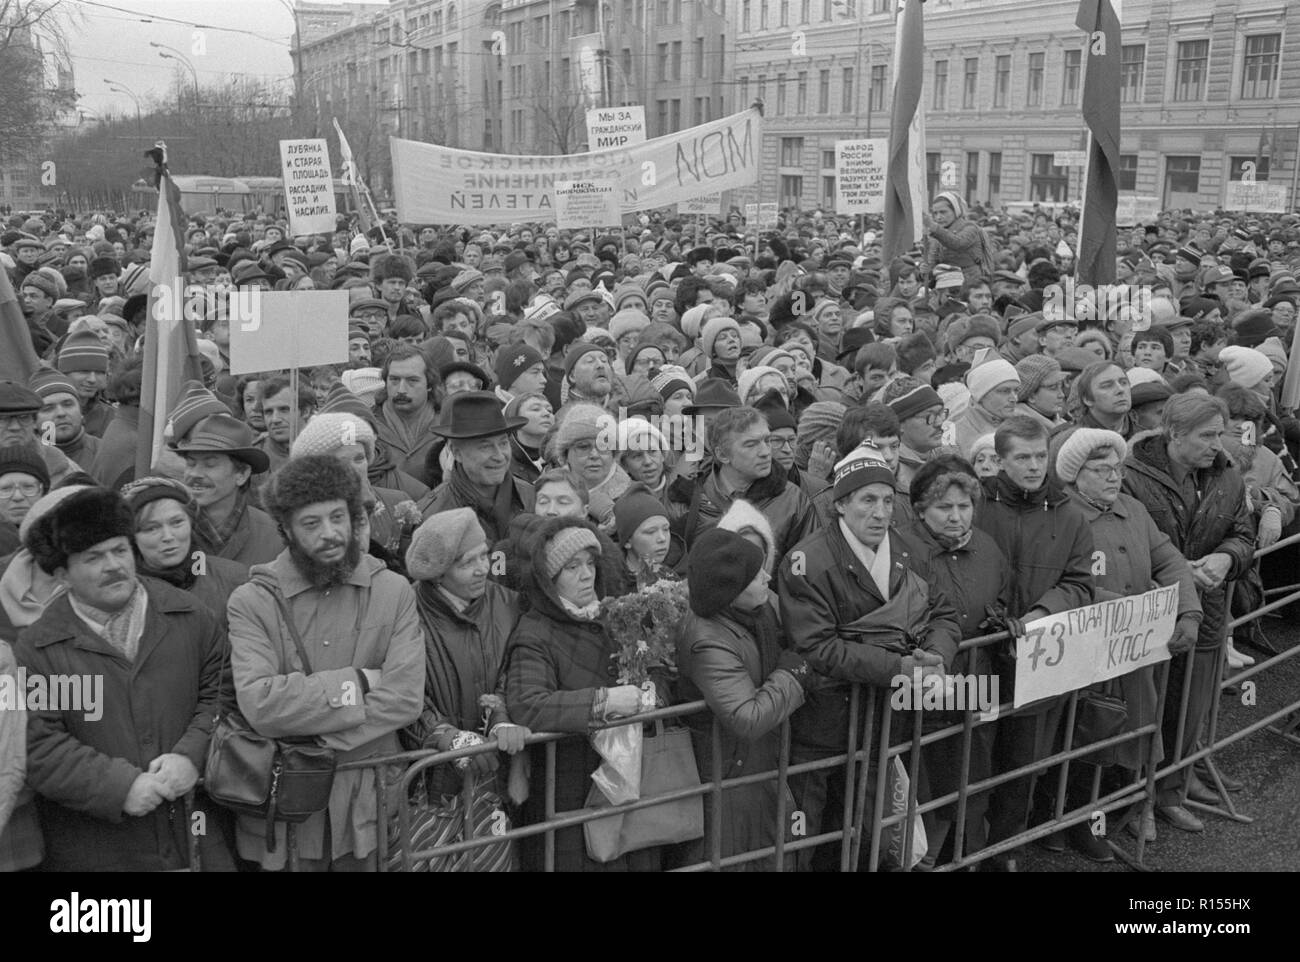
(1138, 557)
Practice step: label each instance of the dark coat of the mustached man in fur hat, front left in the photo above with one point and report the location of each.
(162, 703)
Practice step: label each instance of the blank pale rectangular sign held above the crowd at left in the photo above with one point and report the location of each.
(291, 330)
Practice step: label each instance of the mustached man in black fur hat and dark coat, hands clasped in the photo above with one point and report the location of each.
(112, 777)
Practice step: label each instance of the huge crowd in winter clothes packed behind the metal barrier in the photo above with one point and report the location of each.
(853, 463)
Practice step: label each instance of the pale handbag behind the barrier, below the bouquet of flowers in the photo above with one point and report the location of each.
(668, 765)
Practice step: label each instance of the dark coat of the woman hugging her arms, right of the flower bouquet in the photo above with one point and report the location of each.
(721, 662)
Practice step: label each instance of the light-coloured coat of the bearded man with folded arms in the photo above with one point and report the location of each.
(369, 622)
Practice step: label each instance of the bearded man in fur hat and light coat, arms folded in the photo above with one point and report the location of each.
(361, 675)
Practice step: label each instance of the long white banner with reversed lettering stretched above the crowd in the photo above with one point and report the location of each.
(443, 185)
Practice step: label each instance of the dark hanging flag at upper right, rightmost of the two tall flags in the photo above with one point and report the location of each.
(1100, 20)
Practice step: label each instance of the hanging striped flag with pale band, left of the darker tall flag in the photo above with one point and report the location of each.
(905, 177)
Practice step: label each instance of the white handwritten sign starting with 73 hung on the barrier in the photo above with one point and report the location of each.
(1082, 647)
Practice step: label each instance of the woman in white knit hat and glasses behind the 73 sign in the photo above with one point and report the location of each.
(1134, 557)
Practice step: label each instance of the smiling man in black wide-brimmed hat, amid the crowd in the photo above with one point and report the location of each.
(479, 435)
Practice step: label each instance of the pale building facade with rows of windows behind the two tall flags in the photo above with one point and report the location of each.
(1208, 90)
